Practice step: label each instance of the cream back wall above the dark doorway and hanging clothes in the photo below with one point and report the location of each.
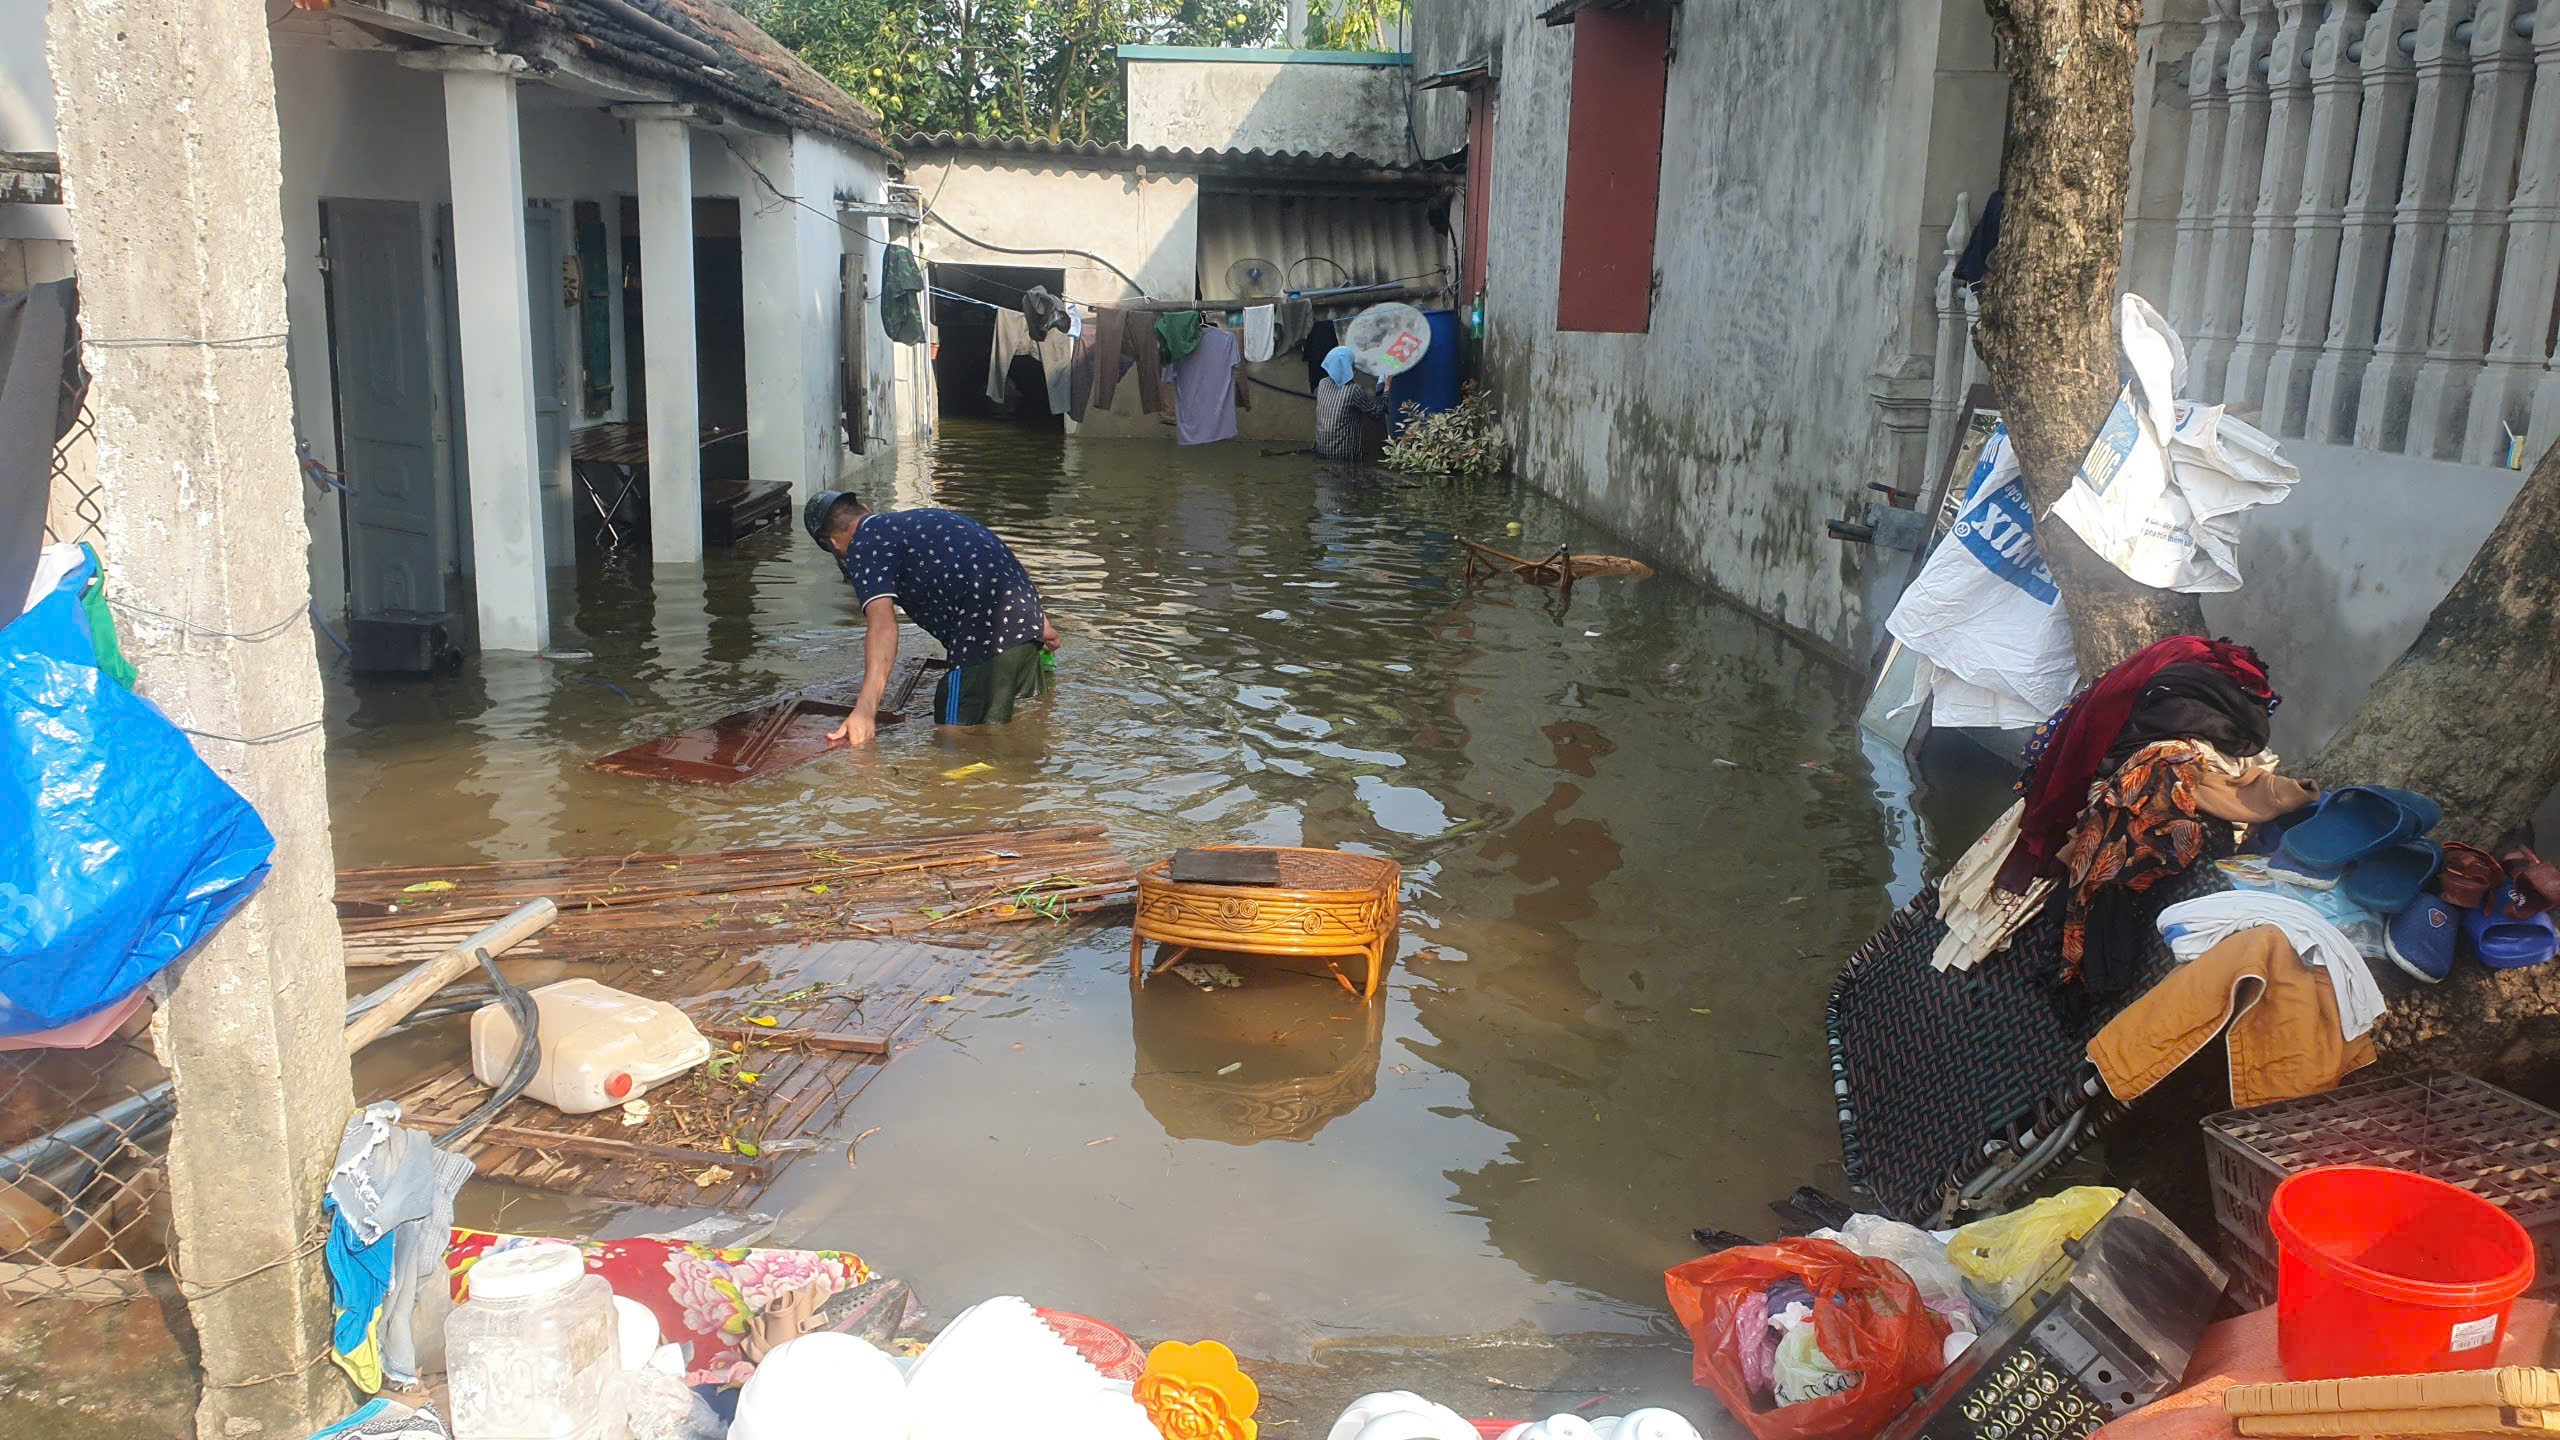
(1148, 227)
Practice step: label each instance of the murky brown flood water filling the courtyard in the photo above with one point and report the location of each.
(1624, 896)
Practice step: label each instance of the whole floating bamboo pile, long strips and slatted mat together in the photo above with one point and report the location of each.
(861, 939)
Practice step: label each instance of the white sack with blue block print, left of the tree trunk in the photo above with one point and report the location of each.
(1985, 616)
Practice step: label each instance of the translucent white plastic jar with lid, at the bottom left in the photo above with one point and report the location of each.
(536, 1354)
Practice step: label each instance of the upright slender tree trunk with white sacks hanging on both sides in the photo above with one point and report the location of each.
(2049, 309)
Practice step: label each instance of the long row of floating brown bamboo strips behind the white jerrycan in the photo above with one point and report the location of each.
(682, 903)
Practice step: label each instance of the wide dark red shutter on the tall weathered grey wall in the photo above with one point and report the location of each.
(1614, 170)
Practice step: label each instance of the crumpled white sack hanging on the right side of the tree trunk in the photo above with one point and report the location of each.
(2167, 480)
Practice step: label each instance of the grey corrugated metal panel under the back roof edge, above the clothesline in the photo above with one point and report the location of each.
(1320, 242)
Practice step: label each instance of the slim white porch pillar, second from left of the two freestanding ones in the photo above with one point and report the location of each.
(667, 322)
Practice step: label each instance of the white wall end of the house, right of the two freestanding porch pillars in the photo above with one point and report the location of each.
(769, 252)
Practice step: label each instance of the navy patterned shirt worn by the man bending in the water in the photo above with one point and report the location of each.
(951, 575)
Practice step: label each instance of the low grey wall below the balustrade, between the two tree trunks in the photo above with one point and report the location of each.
(2341, 578)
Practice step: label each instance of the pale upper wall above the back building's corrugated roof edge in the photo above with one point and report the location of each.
(1271, 101)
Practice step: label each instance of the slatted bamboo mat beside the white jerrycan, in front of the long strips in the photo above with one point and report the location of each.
(795, 1103)
